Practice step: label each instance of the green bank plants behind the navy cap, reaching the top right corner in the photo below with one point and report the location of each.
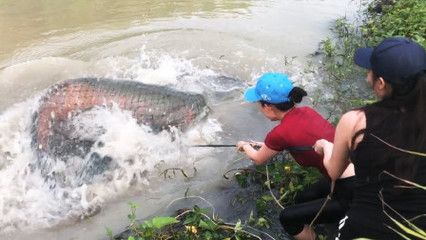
(381, 19)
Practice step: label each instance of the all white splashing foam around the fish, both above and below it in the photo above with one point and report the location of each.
(28, 201)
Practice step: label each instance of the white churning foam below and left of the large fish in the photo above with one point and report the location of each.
(27, 201)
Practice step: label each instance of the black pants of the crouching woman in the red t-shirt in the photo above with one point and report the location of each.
(309, 201)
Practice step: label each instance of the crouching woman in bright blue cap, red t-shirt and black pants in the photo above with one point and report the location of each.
(299, 126)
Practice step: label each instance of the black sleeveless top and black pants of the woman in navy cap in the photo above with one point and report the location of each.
(376, 192)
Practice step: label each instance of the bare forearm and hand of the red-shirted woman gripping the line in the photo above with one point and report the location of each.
(260, 156)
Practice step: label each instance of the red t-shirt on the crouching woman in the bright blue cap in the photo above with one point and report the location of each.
(302, 126)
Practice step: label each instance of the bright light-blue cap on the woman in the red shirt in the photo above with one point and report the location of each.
(271, 88)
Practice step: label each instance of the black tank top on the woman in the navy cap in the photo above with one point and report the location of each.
(375, 190)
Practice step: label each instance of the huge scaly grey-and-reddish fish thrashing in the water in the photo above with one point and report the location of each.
(156, 106)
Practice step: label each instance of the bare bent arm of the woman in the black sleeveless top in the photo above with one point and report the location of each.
(336, 157)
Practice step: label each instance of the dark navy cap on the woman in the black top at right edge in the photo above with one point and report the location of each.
(394, 59)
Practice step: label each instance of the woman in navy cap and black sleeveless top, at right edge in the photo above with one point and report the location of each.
(375, 139)
